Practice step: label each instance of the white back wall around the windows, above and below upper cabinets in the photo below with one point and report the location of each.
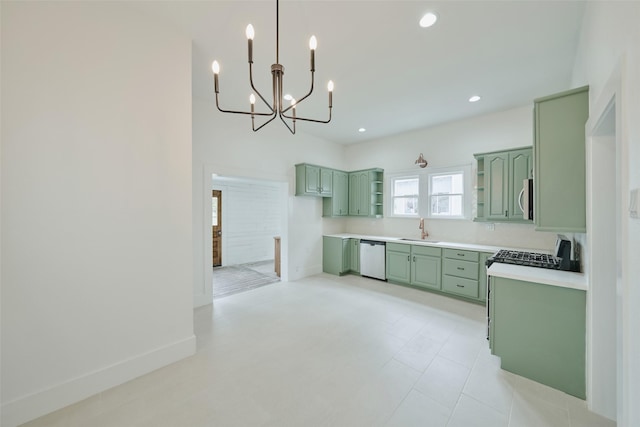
(450, 144)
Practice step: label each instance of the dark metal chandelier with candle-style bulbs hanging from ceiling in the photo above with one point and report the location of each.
(276, 107)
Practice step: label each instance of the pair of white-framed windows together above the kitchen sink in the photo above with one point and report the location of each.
(432, 193)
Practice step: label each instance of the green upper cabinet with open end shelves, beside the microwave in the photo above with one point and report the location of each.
(500, 177)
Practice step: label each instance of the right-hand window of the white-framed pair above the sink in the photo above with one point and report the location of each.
(446, 195)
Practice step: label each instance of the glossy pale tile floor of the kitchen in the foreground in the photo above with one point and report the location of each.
(329, 351)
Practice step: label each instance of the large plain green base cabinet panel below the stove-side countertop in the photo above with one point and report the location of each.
(539, 332)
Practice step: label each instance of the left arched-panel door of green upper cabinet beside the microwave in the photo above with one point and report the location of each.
(496, 174)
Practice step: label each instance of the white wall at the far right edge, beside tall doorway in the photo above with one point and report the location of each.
(610, 46)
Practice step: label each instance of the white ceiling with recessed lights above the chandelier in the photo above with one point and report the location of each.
(390, 75)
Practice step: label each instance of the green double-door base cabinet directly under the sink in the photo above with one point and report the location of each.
(414, 265)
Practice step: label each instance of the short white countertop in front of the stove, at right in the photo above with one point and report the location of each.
(564, 279)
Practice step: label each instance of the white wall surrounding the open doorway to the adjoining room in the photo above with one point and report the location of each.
(226, 145)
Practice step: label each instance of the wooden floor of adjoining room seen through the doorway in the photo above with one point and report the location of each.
(241, 278)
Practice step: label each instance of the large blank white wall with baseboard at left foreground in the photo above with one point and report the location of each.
(96, 201)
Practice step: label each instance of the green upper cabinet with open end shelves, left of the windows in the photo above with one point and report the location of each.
(365, 193)
